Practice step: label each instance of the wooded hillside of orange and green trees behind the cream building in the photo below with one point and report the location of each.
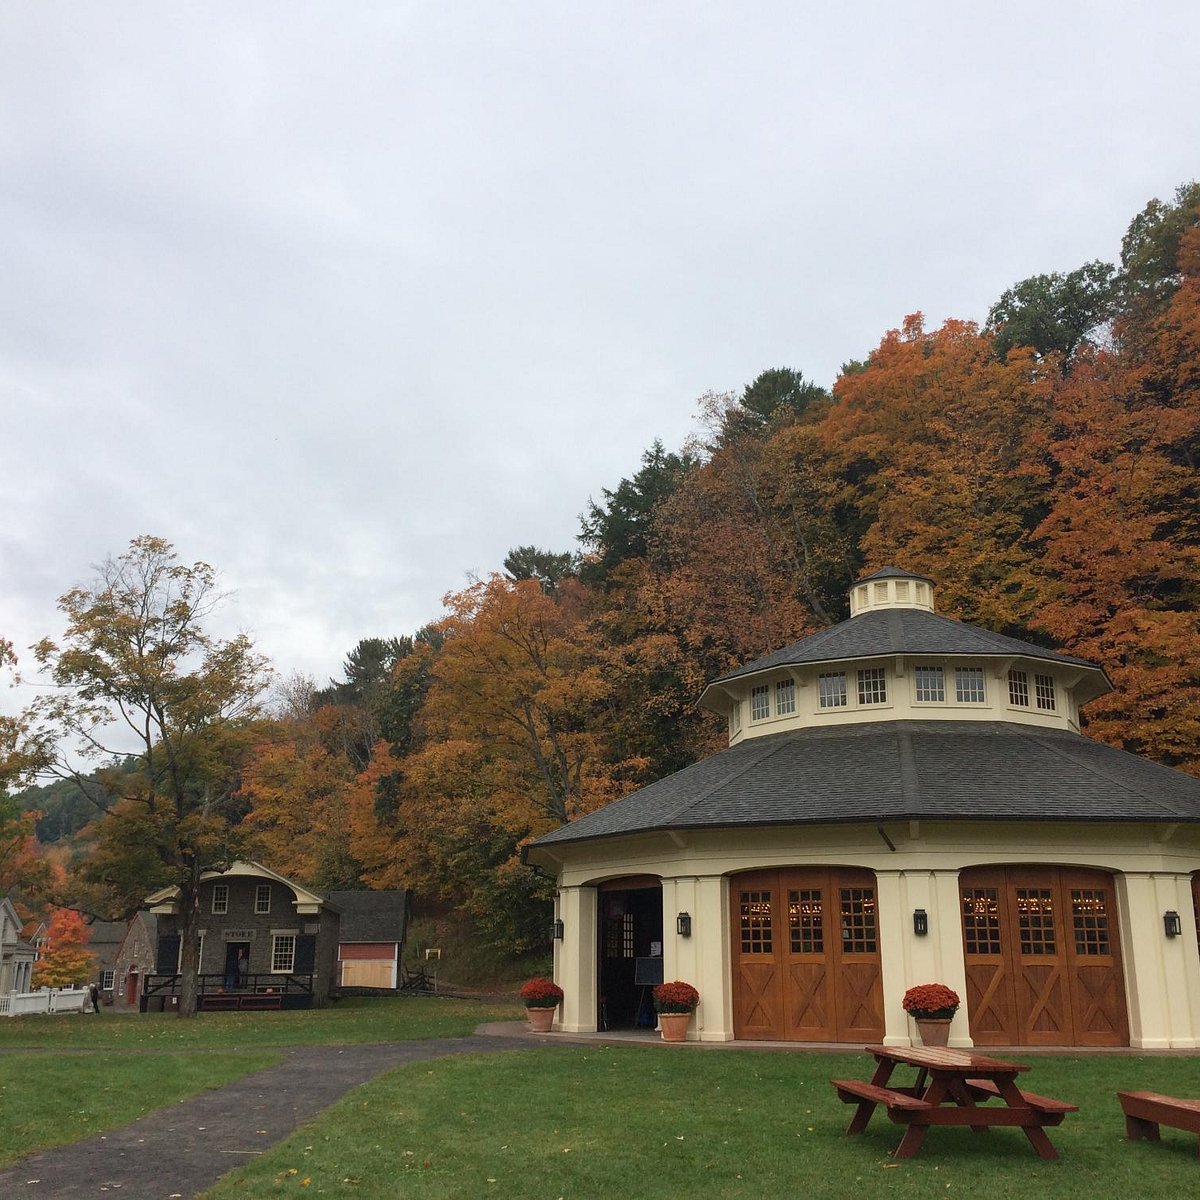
(1041, 469)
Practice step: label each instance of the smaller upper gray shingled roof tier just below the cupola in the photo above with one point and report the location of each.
(887, 632)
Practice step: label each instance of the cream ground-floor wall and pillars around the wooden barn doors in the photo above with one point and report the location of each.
(1153, 868)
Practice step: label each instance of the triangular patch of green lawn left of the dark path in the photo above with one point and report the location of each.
(51, 1100)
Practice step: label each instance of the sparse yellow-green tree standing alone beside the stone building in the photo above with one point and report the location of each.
(140, 675)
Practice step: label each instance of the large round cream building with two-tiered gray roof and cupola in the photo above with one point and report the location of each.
(905, 799)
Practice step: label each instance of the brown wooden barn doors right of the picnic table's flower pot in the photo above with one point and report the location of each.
(1043, 964)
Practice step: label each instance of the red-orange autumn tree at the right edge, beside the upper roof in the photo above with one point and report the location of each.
(1123, 535)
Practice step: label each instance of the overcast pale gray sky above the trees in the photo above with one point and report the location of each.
(350, 299)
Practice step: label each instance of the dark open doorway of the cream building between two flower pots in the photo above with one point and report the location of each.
(631, 931)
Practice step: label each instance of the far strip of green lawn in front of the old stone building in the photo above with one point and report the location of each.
(385, 1019)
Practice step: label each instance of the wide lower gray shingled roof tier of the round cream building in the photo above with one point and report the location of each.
(896, 771)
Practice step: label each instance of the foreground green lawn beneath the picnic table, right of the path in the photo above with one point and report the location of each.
(656, 1123)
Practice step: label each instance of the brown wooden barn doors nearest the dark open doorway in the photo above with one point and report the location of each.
(806, 956)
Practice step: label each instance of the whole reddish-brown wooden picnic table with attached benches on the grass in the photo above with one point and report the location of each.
(952, 1089)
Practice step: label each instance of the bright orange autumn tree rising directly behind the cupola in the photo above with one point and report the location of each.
(940, 447)
